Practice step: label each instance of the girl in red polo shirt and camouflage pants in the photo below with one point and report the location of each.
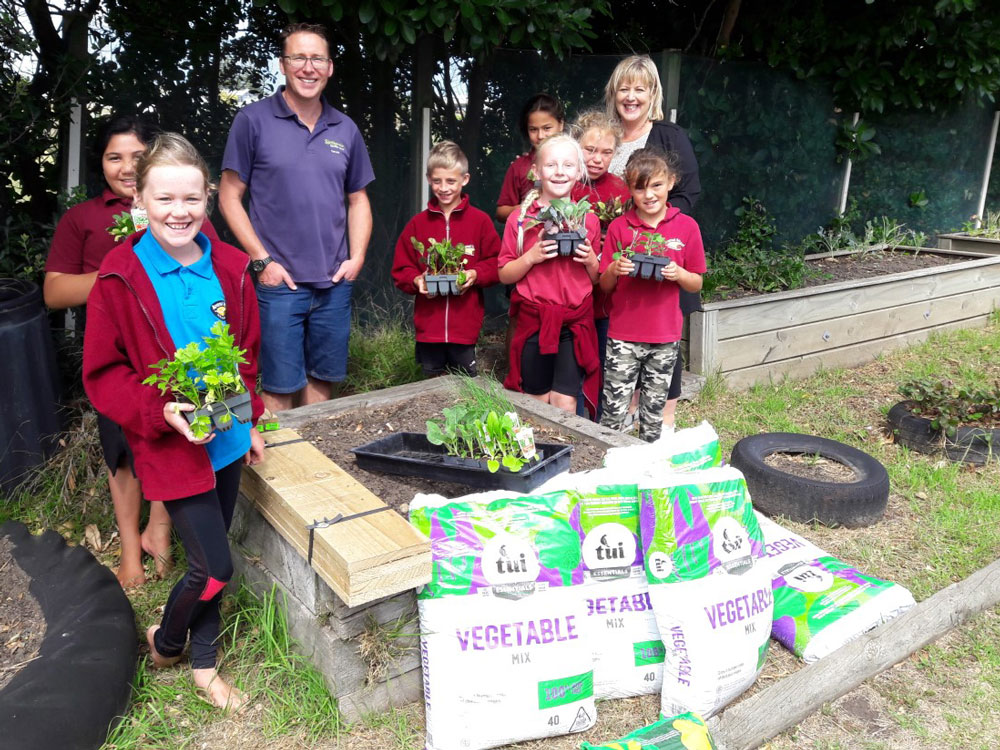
(644, 330)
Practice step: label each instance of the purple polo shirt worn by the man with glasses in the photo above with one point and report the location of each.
(297, 182)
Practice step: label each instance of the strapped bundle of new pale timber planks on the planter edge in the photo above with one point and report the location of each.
(362, 558)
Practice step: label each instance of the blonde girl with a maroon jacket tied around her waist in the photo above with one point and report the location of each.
(554, 347)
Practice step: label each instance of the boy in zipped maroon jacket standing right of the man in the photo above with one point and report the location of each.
(447, 326)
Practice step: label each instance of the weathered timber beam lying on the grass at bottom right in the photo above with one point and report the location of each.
(760, 717)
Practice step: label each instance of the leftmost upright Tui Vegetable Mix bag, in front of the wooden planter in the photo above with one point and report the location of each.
(503, 646)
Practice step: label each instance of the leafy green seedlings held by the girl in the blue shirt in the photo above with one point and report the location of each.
(203, 375)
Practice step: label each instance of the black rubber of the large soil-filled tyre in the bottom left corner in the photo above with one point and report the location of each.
(69, 697)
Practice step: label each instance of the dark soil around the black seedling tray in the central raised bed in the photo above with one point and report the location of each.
(338, 434)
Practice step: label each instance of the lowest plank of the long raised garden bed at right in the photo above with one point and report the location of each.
(848, 356)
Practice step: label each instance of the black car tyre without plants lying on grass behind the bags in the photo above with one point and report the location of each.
(777, 493)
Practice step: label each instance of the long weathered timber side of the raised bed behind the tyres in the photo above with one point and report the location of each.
(797, 332)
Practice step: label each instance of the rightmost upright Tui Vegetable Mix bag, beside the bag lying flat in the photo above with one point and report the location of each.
(711, 595)
